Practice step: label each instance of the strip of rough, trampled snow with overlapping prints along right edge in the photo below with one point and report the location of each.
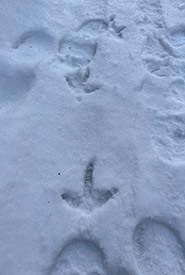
(163, 56)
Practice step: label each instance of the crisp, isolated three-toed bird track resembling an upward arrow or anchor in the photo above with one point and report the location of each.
(91, 196)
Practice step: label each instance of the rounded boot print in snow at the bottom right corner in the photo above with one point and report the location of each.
(158, 249)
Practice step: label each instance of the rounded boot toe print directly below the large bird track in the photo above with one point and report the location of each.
(79, 257)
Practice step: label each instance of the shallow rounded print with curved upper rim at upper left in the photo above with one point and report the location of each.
(34, 44)
